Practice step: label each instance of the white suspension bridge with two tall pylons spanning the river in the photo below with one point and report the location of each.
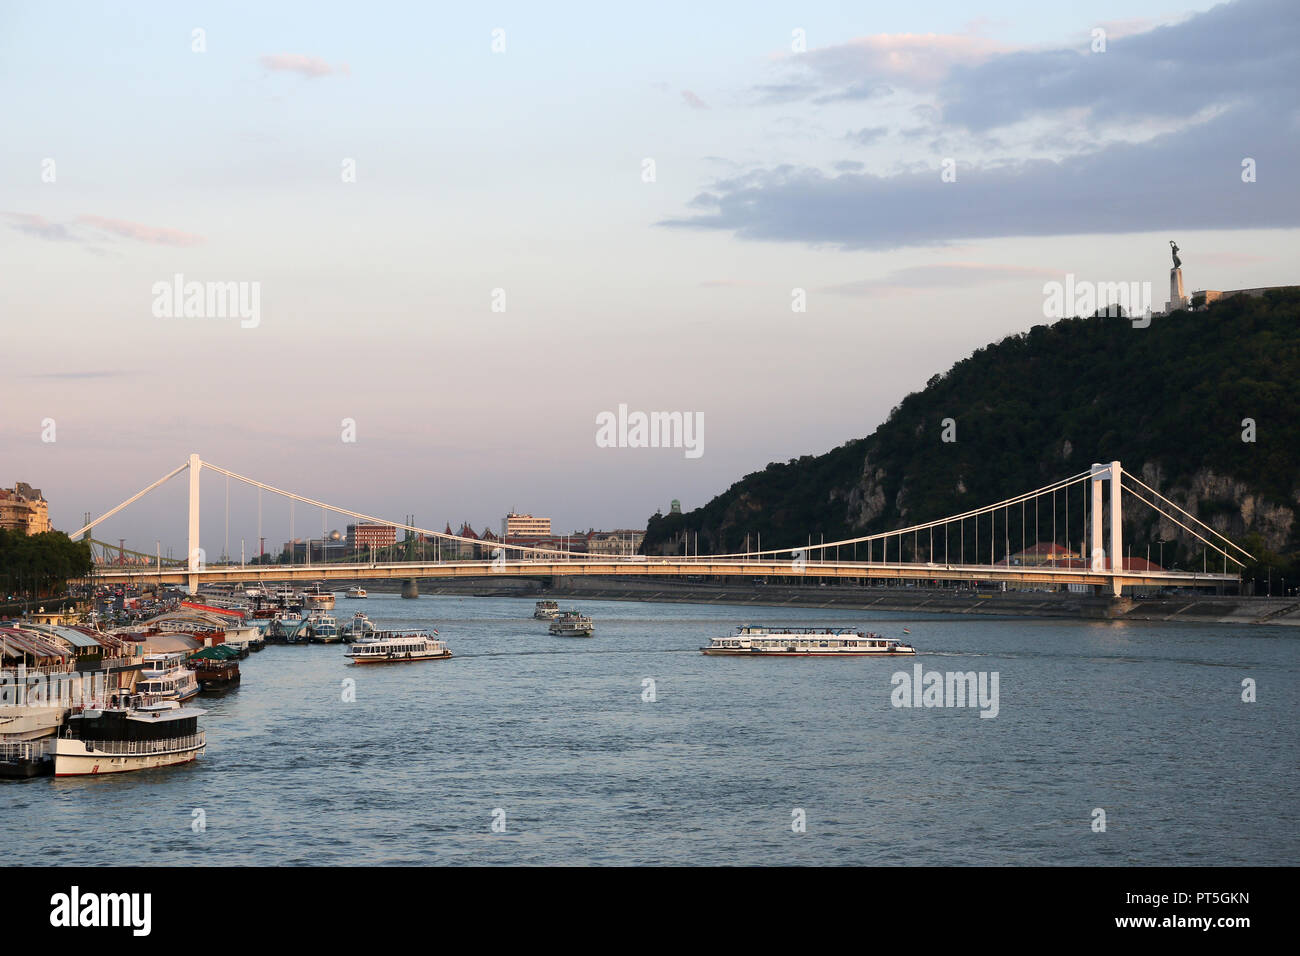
(960, 548)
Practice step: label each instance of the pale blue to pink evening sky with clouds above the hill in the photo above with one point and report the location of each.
(474, 230)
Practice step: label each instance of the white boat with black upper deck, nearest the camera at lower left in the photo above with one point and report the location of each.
(132, 737)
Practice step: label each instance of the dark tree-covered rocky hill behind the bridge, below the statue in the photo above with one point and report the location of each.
(1168, 401)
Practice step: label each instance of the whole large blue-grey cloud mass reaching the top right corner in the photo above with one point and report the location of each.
(1175, 175)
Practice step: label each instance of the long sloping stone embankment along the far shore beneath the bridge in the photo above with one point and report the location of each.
(1190, 609)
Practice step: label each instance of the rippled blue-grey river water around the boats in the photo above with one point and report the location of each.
(734, 762)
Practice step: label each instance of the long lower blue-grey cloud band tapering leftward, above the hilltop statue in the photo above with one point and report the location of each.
(1188, 180)
